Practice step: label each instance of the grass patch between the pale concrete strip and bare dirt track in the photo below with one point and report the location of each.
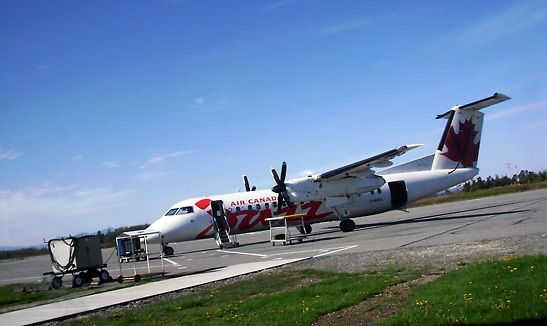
(287, 298)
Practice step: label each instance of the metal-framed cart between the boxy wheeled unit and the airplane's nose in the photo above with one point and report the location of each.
(134, 246)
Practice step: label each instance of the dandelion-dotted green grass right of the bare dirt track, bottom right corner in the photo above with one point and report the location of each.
(483, 293)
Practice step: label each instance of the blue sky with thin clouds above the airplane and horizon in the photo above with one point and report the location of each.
(112, 111)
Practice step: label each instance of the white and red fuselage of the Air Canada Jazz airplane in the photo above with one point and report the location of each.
(247, 211)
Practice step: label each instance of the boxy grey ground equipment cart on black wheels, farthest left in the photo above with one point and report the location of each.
(79, 256)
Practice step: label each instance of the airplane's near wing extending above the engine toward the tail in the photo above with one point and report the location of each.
(363, 167)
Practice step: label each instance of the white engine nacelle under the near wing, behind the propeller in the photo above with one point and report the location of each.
(310, 188)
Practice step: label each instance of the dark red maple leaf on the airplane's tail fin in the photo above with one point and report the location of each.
(461, 147)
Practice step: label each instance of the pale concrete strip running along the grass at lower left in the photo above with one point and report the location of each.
(74, 307)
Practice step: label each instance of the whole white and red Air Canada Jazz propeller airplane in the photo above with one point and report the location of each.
(351, 191)
